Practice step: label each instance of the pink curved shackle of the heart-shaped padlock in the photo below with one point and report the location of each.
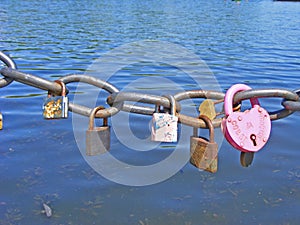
(228, 100)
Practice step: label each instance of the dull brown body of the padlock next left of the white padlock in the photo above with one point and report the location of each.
(97, 140)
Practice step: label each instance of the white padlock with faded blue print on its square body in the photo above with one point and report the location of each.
(164, 125)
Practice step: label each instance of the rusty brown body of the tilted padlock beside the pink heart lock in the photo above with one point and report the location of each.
(204, 154)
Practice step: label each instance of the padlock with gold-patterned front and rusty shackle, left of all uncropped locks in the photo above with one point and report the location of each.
(56, 107)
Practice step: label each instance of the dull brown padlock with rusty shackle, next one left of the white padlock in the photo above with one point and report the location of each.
(97, 138)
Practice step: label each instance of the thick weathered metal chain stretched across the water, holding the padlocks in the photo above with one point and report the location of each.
(118, 100)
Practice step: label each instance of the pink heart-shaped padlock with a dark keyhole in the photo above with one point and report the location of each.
(247, 131)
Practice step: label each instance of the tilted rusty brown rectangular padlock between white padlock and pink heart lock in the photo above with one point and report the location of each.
(204, 153)
